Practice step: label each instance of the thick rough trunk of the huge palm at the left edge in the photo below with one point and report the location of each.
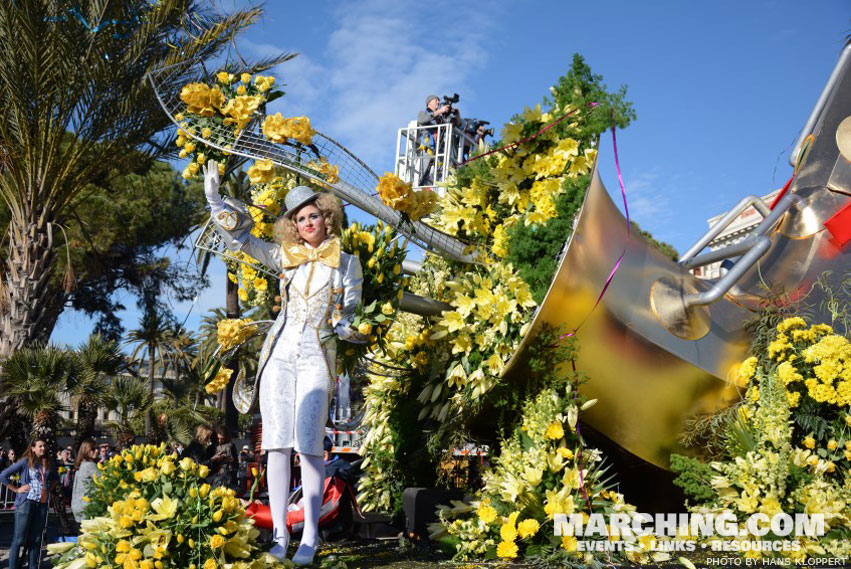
(25, 287)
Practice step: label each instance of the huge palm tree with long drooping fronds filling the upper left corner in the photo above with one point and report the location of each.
(76, 110)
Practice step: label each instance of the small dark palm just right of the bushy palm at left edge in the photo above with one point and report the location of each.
(99, 358)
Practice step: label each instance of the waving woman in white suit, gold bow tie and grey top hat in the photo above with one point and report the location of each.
(320, 288)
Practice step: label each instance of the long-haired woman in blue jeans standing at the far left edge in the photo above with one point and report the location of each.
(33, 487)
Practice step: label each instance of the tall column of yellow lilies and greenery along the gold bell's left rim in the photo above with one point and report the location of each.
(454, 362)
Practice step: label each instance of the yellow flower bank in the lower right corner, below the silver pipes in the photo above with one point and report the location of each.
(789, 444)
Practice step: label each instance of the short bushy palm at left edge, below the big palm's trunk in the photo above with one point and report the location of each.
(34, 381)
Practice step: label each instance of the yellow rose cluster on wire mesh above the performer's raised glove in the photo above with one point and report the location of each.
(230, 102)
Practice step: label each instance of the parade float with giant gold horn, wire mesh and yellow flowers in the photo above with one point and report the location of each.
(538, 311)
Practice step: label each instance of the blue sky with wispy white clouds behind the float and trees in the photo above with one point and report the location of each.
(721, 89)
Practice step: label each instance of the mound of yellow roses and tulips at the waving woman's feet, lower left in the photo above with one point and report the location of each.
(147, 510)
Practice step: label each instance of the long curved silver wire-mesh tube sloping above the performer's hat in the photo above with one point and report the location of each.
(356, 181)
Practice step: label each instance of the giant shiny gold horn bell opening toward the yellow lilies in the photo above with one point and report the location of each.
(652, 363)
